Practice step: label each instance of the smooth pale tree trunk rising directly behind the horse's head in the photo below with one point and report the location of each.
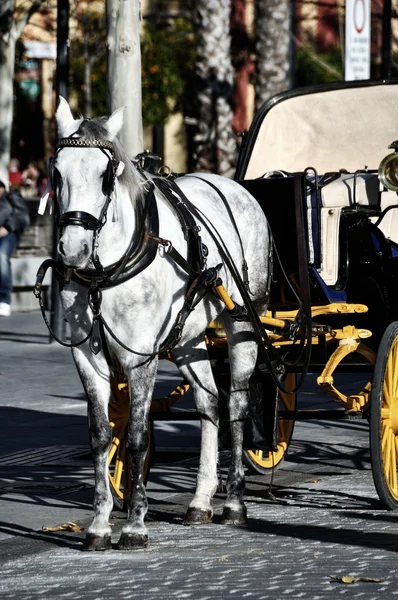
(124, 69)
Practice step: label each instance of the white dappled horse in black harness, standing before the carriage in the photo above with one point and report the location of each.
(107, 214)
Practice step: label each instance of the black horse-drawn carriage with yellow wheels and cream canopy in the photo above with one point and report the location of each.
(311, 159)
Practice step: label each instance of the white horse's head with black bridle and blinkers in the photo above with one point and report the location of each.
(83, 174)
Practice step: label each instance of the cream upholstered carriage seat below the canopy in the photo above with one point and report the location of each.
(339, 191)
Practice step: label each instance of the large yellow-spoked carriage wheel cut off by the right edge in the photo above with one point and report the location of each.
(384, 418)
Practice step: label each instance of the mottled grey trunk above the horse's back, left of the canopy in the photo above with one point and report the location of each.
(216, 144)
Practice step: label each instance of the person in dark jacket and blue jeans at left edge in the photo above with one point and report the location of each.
(14, 217)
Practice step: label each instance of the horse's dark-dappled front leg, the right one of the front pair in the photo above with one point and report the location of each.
(141, 382)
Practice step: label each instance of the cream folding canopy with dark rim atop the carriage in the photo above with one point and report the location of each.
(347, 128)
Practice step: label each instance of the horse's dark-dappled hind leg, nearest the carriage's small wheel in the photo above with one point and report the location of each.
(242, 355)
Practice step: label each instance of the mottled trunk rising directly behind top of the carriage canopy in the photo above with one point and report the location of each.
(273, 26)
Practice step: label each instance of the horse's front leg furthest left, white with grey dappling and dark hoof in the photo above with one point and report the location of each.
(98, 392)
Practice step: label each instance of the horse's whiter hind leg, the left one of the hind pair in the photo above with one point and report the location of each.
(197, 371)
